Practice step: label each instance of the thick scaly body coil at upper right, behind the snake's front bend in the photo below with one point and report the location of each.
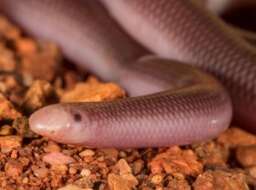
(188, 33)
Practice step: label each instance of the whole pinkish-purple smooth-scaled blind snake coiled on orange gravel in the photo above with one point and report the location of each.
(195, 107)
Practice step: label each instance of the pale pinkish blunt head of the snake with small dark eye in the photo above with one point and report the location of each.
(58, 122)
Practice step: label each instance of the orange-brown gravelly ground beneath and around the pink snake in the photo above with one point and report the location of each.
(31, 77)
